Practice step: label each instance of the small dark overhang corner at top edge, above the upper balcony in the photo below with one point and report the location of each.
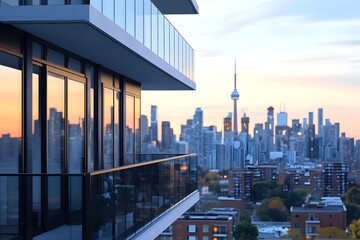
(177, 6)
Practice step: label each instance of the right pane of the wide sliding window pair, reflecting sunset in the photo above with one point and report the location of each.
(76, 126)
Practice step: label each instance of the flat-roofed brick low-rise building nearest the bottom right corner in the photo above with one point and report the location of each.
(329, 212)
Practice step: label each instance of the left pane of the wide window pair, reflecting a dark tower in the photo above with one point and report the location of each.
(55, 122)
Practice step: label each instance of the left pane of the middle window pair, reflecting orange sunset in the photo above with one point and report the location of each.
(108, 129)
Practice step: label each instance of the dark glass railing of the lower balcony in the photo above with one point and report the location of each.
(111, 204)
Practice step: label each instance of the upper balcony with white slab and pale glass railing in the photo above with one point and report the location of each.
(121, 35)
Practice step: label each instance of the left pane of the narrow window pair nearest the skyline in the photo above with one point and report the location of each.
(129, 130)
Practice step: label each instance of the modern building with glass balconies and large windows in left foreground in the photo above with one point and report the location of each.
(71, 76)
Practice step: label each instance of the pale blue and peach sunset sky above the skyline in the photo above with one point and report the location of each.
(294, 55)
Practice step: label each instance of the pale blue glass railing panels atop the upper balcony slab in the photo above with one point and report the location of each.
(142, 20)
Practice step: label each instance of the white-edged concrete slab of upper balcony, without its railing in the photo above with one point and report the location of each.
(83, 30)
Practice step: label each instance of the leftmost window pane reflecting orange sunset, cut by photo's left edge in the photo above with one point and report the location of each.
(10, 113)
